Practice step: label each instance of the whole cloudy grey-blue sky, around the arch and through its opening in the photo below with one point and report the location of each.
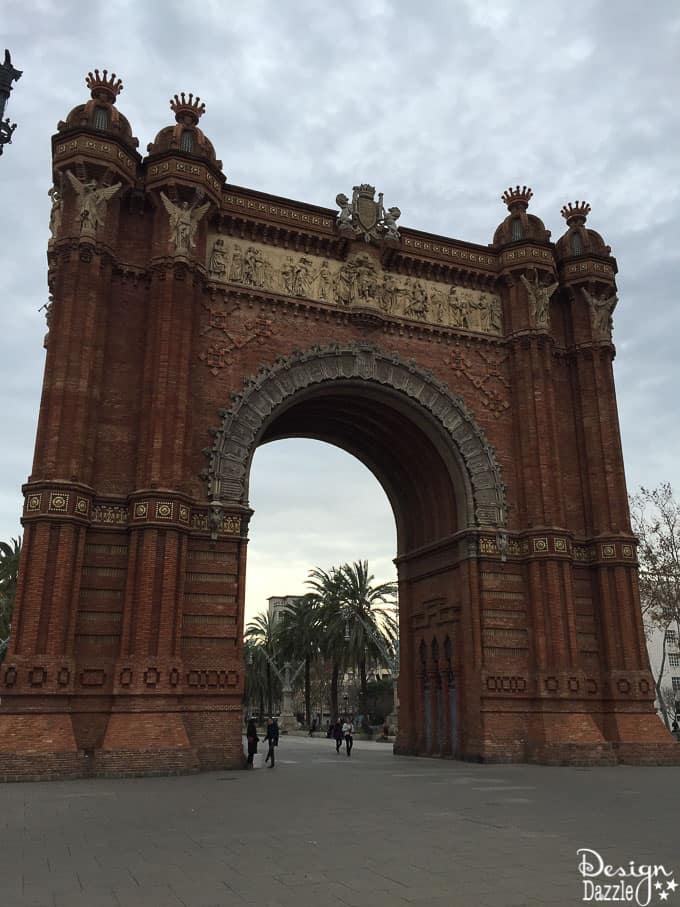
(441, 106)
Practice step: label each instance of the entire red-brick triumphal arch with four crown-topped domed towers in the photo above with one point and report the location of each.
(191, 320)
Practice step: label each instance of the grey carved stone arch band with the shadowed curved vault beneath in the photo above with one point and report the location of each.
(418, 439)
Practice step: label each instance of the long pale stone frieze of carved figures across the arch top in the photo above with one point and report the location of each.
(357, 282)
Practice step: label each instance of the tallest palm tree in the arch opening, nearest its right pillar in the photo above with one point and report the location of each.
(365, 617)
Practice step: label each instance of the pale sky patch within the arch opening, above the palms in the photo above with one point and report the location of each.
(315, 506)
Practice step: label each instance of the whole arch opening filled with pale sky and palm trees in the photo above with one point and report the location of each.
(317, 508)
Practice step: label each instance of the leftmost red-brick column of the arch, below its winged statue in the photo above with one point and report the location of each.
(40, 671)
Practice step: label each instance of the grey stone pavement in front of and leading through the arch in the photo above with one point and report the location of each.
(323, 829)
